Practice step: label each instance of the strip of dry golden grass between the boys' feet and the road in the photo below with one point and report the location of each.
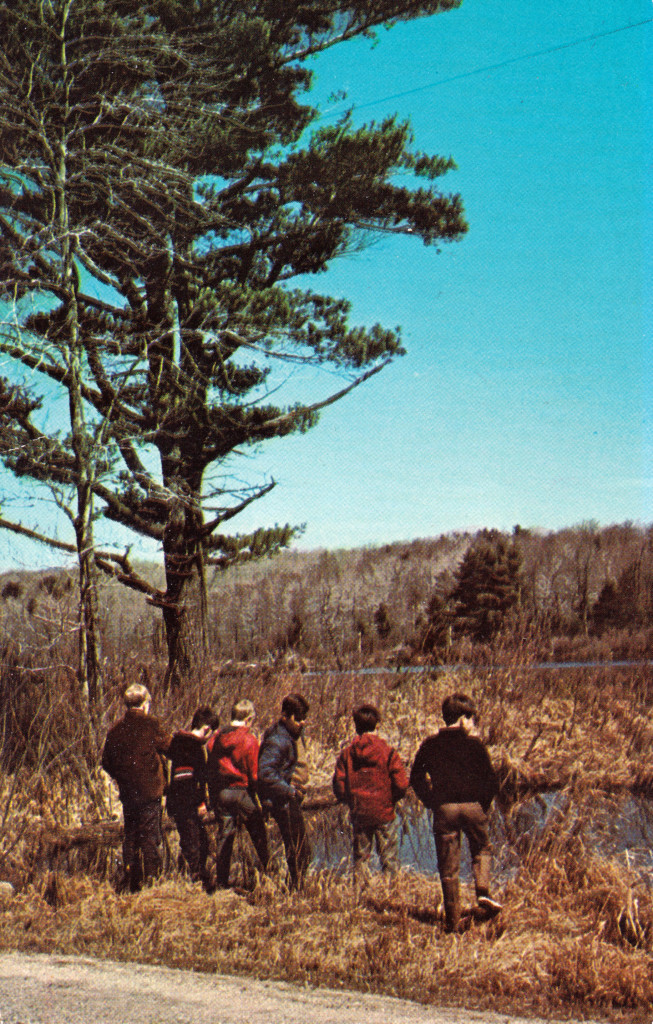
(576, 936)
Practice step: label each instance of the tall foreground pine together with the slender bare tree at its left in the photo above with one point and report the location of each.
(163, 198)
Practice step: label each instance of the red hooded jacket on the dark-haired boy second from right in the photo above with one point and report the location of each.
(370, 778)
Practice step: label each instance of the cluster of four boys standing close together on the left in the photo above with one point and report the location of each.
(202, 771)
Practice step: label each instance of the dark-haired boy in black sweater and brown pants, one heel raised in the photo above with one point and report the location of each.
(454, 777)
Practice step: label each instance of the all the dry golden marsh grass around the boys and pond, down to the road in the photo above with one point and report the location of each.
(577, 933)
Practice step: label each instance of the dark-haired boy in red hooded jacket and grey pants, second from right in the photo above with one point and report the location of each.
(370, 778)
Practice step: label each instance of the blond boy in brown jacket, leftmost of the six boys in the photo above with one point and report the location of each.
(133, 756)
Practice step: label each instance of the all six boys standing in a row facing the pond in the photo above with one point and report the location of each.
(227, 772)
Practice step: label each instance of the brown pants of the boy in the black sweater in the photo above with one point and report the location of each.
(449, 822)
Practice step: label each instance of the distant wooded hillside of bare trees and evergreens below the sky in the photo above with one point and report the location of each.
(581, 592)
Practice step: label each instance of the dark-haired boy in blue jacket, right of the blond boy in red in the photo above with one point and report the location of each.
(281, 787)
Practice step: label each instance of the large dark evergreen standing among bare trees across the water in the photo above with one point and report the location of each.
(488, 586)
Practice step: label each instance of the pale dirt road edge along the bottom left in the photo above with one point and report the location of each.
(41, 990)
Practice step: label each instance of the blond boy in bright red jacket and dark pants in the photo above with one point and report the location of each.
(233, 773)
